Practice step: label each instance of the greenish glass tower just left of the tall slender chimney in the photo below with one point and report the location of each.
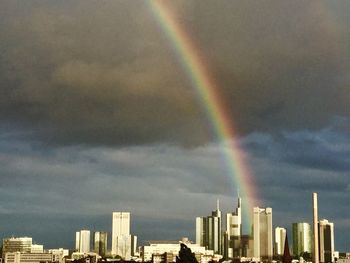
(301, 238)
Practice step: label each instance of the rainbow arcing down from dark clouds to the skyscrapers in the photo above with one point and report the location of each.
(206, 90)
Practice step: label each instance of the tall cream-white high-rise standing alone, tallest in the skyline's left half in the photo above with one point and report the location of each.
(123, 244)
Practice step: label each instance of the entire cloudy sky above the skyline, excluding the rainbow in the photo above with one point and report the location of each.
(97, 114)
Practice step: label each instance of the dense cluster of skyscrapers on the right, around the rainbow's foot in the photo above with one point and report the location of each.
(264, 243)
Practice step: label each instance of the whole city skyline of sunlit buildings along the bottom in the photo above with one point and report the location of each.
(213, 242)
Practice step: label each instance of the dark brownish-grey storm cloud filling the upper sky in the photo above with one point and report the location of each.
(102, 72)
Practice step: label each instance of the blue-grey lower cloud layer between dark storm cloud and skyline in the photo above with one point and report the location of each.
(163, 186)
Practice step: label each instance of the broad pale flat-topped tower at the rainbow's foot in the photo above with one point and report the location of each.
(262, 233)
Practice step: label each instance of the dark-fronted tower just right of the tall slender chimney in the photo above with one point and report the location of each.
(326, 241)
